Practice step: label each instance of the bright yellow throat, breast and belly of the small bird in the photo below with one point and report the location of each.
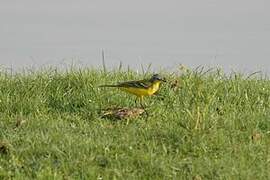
(140, 92)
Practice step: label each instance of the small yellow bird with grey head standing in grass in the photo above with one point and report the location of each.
(140, 88)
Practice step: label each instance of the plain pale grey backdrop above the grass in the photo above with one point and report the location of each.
(233, 34)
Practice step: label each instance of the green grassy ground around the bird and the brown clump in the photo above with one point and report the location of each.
(200, 126)
